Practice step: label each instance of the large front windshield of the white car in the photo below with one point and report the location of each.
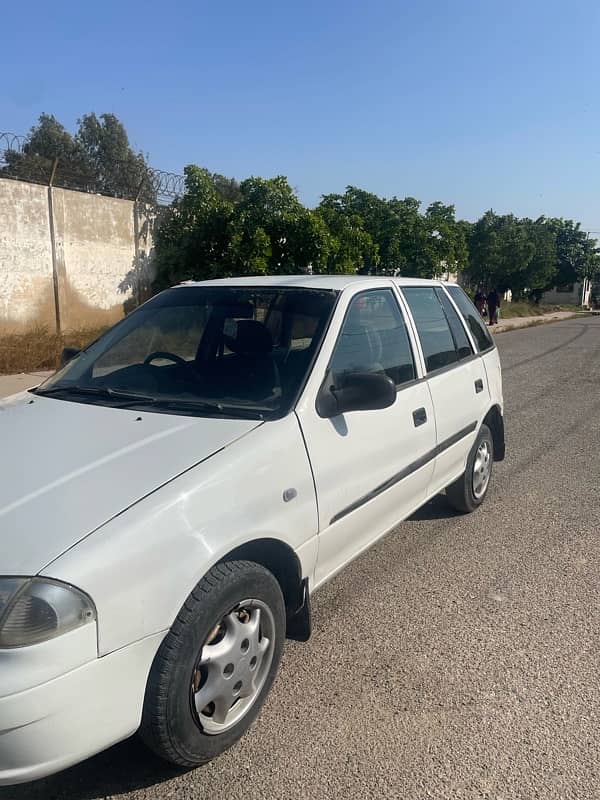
(203, 350)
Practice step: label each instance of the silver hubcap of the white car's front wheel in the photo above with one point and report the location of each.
(233, 666)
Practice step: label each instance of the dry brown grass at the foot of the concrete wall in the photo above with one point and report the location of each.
(39, 349)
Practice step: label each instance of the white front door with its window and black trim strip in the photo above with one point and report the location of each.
(371, 468)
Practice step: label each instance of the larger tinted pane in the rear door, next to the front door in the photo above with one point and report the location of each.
(433, 328)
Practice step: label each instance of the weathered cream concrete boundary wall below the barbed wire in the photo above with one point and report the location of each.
(69, 259)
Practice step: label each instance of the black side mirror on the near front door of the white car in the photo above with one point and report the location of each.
(355, 391)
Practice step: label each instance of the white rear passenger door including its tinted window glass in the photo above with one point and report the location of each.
(456, 377)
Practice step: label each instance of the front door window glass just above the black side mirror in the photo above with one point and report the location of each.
(374, 338)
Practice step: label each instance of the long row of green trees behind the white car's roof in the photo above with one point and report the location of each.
(260, 227)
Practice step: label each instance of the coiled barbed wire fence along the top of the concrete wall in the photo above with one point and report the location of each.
(131, 180)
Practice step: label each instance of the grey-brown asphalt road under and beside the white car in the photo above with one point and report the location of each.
(458, 658)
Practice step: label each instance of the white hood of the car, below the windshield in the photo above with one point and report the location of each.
(66, 468)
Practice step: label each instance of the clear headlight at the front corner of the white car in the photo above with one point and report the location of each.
(36, 609)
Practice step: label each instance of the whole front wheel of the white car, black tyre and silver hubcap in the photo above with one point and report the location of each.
(216, 665)
